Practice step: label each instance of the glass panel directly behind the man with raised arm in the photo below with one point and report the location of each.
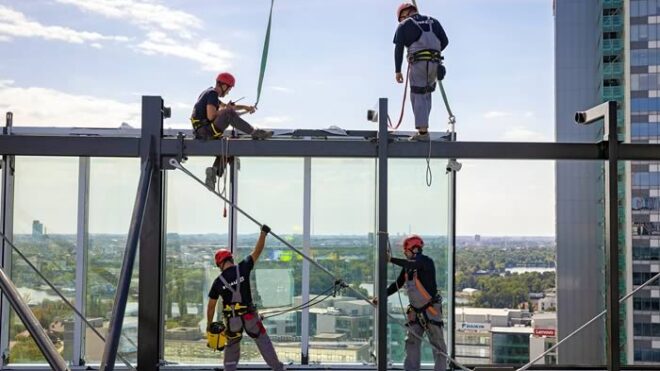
(271, 191)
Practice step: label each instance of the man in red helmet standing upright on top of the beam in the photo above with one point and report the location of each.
(424, 38)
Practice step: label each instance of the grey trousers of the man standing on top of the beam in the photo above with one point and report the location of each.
(422, 74)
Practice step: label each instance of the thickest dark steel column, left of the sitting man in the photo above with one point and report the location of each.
(152, 254)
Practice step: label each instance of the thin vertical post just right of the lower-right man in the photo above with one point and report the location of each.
(451, 284)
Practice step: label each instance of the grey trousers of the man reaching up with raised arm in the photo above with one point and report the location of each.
(255, 329)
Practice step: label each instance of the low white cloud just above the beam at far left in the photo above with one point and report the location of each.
(37, 106)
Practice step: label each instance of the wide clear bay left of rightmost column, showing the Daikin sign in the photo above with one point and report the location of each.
(519, 224)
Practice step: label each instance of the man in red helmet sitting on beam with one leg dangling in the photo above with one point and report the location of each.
(211, 117)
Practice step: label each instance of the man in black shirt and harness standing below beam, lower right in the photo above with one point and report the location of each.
(425, 309)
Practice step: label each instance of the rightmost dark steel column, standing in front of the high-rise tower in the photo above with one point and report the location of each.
(612, 237)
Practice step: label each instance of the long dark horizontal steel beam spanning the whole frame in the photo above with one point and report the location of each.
(171, 147)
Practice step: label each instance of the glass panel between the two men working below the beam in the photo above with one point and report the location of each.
(343, 241)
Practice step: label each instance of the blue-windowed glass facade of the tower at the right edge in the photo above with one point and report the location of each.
(645, 177)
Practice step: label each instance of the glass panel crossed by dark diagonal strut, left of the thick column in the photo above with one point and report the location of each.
(113, 186)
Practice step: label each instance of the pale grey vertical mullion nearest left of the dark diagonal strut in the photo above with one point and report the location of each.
(82, 246)
